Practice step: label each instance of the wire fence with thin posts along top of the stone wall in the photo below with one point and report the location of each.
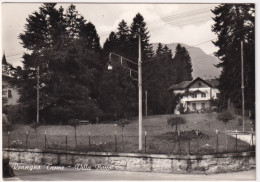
(170, 143)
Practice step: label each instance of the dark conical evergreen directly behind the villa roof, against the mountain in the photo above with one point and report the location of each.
(182, 64)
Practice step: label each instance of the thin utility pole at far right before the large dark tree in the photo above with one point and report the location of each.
(242, 86)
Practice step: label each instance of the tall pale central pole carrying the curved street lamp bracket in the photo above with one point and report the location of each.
(140, 94)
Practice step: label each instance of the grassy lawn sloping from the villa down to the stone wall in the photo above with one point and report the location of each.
(102, 136)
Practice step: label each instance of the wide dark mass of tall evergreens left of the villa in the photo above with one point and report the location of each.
(74, 80)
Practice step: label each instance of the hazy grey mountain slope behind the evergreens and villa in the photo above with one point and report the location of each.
(202, 63)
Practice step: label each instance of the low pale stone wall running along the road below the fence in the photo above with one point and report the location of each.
(182, 164)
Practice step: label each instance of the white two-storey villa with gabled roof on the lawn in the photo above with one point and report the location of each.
(195, 95)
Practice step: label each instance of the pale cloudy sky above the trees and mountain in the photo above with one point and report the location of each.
(167, 23)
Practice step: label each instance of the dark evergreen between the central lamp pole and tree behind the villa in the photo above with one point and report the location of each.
(160, 78)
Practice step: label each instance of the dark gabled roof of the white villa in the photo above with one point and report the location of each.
(185, 84)
